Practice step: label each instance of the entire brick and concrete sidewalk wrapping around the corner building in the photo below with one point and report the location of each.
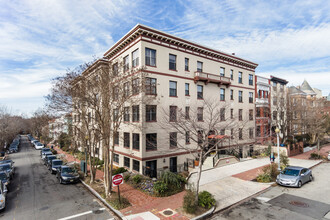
(229, 185)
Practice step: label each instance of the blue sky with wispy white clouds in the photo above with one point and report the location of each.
(40, 40)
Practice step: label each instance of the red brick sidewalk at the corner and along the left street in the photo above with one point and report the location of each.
(140, 201)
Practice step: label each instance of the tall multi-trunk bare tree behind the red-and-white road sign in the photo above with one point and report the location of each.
(109, 90)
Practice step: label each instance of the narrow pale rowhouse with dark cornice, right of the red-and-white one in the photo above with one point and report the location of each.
(278, 106)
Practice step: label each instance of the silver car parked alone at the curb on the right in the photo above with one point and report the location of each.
(294, 176)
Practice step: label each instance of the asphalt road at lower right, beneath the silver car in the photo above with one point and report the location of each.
(311, 201)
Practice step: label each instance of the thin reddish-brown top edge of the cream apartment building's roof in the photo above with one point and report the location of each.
(144, 27)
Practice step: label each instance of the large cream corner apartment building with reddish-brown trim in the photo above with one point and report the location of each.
(180, 75)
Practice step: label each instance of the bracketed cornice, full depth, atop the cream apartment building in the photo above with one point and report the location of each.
(144, 31)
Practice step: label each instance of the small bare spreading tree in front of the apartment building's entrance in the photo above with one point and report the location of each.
(204, 126)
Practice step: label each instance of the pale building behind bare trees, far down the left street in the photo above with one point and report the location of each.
(59, 125)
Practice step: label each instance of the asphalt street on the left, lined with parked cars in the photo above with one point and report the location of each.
(35, 193)
